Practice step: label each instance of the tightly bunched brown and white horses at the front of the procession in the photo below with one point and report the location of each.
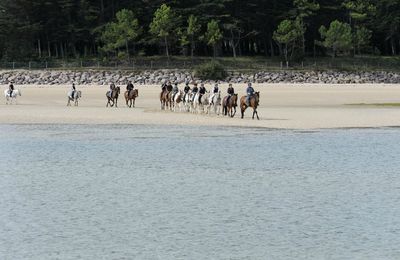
(207, 103)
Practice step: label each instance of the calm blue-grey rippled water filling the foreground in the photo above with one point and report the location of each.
(163, 192)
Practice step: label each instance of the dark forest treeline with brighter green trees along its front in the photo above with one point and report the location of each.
(121, 29)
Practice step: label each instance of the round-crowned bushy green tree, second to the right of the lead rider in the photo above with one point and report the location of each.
(338, 37)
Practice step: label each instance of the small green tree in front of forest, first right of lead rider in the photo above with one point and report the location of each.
(289, 34)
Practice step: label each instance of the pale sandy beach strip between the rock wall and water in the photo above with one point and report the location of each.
(295, 106)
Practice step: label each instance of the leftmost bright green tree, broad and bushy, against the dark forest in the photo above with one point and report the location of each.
(118, 34)
